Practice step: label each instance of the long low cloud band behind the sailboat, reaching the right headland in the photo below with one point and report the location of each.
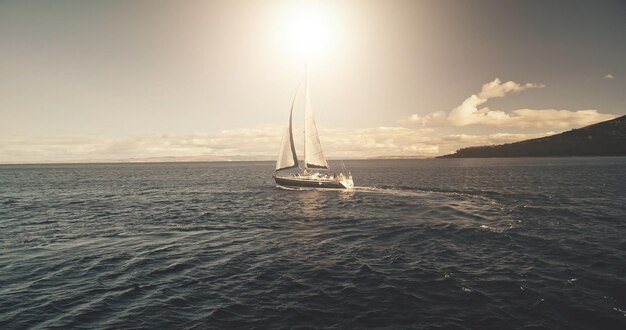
(256, 143)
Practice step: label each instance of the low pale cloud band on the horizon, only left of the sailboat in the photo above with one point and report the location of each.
(251, 142)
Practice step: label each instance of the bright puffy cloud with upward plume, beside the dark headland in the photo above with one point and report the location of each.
(471, 112)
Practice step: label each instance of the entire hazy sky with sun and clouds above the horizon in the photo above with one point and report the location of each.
(88, 80)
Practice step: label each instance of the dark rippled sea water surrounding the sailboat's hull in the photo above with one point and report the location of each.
(482, 243)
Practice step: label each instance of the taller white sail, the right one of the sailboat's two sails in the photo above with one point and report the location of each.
(313, 155)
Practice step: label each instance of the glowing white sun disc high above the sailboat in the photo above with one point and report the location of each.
(308, 31)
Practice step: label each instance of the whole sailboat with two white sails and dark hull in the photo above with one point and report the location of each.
(315, 172)
